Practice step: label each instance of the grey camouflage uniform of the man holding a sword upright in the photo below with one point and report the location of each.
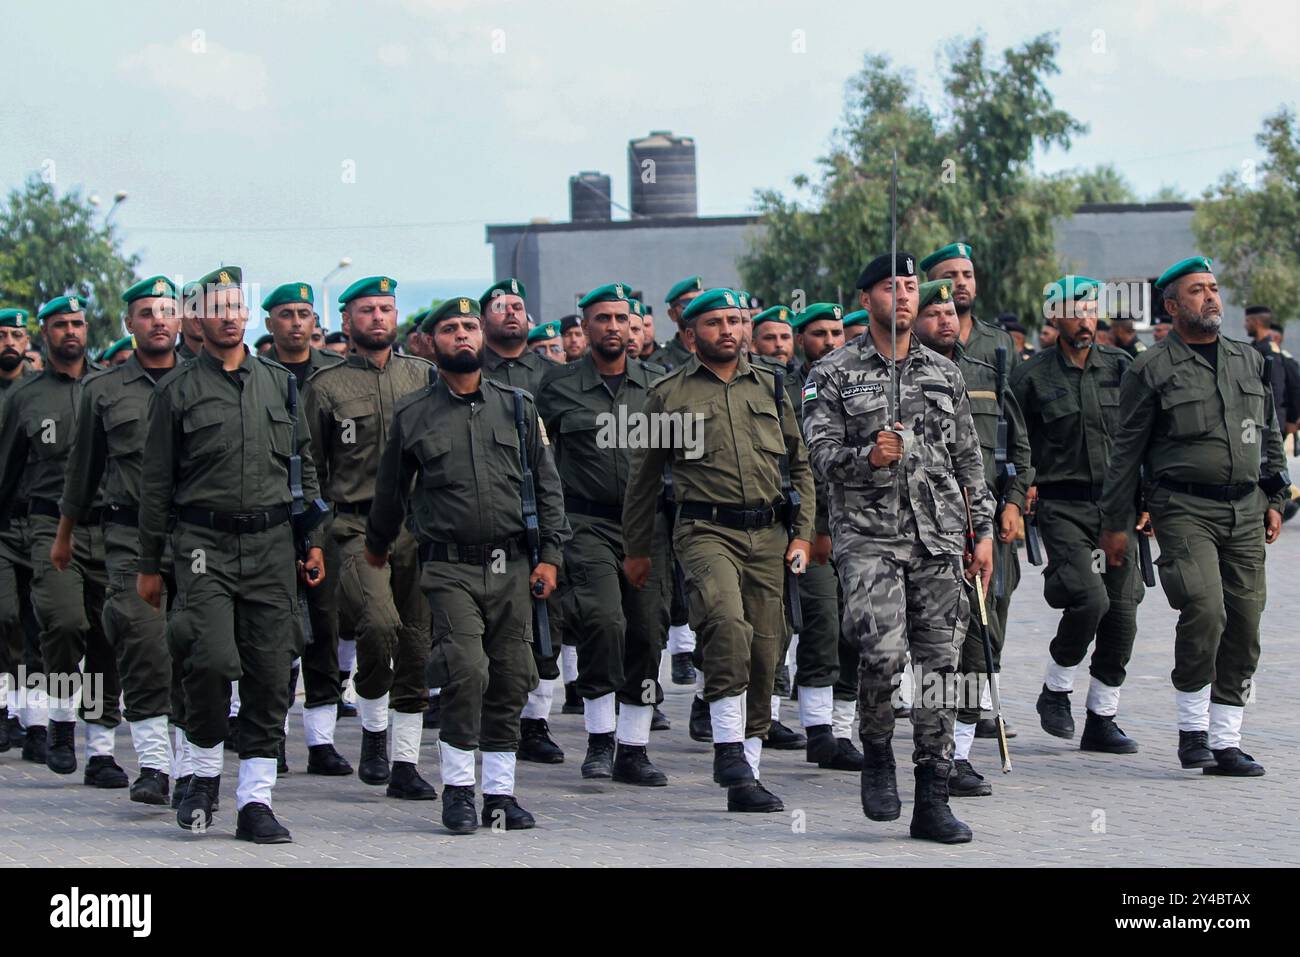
(899, 532)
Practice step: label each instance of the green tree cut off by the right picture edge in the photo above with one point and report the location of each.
(1247, 222)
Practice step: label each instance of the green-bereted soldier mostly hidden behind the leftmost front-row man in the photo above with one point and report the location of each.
(292, 319)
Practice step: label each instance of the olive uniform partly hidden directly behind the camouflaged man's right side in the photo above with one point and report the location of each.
(982, 388)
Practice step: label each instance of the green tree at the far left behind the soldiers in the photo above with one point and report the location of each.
(53, 246)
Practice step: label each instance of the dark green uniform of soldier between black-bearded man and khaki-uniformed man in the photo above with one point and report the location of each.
(618, 629)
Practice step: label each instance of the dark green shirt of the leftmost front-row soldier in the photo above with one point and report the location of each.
(219, 440)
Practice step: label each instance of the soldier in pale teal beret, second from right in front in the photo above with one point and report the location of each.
(1072, 400)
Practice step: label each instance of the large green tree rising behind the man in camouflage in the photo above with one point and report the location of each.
(965, 172)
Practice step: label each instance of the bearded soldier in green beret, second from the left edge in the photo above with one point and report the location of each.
(36, 440)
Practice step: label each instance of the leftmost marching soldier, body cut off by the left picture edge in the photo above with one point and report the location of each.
(25, 725)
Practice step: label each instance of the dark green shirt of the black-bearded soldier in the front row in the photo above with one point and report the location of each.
(462, 454)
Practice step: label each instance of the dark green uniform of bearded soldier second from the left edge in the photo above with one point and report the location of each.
(36, 440)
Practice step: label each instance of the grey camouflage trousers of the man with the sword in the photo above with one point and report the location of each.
(894, 605)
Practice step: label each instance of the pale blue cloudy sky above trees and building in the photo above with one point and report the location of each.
(232, 124)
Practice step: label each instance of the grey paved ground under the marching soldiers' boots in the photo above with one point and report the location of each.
(1058, 808)
